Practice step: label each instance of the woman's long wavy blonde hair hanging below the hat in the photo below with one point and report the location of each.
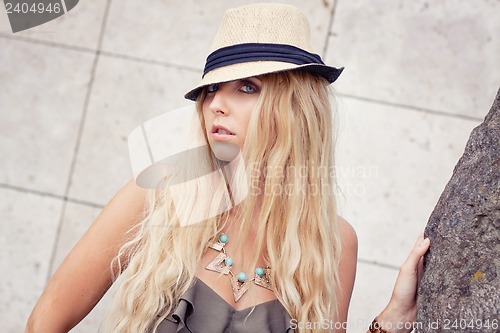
(289, 147)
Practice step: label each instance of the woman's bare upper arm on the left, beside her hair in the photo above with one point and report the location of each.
(85, 274)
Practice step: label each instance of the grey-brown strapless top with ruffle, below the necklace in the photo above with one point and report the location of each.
(202, 310)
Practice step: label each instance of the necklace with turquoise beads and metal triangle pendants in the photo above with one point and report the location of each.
(239, 283)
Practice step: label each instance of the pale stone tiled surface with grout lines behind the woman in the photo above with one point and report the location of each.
(419, 76)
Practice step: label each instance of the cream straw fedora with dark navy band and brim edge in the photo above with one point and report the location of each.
(259, 39)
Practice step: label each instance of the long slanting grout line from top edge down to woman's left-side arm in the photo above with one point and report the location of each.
(78, 140)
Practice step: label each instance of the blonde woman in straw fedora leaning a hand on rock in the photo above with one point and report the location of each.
(276, 257)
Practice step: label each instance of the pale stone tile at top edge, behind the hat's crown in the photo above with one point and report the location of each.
(182, 34)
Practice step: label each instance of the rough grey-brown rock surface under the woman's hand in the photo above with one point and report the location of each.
(460, 288)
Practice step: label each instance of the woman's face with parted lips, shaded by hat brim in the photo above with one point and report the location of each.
(227, 109)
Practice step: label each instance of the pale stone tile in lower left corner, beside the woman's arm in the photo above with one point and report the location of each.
(28, 231)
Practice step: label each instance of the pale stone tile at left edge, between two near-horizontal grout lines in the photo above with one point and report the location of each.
(41, 101)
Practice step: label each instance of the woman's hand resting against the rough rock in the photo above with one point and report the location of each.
(401, 312)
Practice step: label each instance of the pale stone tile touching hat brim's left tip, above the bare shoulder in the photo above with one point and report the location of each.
(124, 95)
